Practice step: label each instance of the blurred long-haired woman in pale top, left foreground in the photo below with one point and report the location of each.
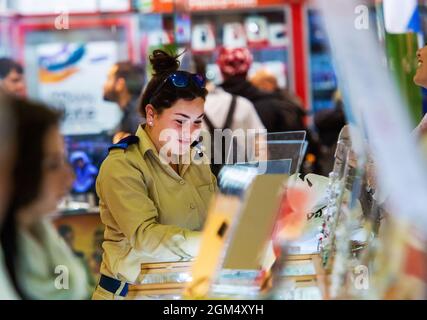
(38, 261)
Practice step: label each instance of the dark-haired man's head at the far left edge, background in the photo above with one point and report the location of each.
(12, 77)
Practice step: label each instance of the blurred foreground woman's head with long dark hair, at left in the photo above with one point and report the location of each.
(41, 176)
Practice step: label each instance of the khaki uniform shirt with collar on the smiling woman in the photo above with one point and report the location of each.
(151, 213)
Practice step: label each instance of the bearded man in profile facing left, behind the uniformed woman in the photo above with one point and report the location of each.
(123, 86)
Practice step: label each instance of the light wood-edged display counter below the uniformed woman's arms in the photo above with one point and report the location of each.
(303, 277)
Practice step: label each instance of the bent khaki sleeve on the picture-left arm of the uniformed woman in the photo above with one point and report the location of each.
(122, 189)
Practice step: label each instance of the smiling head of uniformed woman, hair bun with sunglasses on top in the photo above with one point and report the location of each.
(173, 104)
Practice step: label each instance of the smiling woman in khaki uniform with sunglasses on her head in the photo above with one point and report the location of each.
(153, 195)
